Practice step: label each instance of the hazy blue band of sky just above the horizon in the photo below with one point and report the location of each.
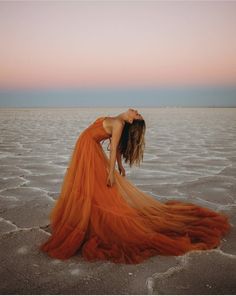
(218, 96)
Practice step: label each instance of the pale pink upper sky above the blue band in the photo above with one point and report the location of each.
(123, 43)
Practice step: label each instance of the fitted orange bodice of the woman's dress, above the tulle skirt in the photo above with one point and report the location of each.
(96, 130)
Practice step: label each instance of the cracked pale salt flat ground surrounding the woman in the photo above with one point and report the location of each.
(190, 155)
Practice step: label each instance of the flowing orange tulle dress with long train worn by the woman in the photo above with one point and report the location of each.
(121, 223)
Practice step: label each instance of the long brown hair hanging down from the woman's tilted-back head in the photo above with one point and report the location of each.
(132, 142)
